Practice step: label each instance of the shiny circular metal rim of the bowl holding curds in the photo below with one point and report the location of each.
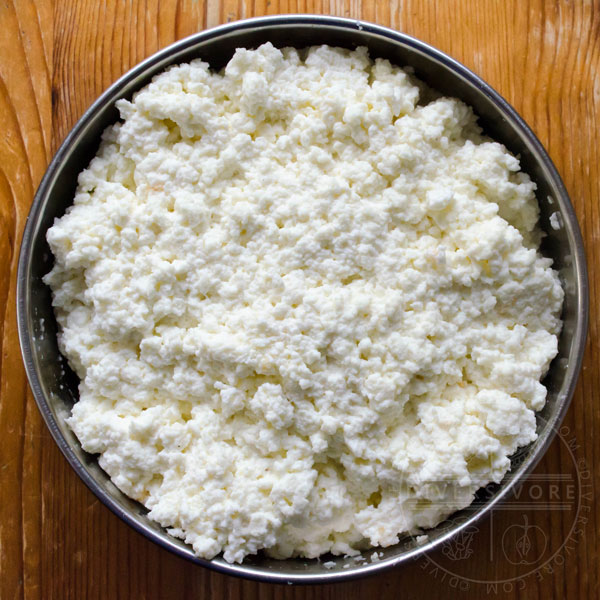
(32, 226)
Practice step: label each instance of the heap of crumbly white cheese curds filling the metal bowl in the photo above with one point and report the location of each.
(308, 311)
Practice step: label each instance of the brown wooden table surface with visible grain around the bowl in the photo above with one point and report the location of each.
(56, 539)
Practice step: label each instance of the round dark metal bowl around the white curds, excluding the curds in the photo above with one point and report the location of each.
(55, 386)
